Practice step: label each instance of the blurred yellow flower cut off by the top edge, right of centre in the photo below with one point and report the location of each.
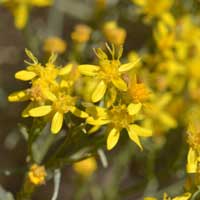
(152, 9)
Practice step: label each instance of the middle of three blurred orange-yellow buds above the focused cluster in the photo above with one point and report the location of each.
(81, 33)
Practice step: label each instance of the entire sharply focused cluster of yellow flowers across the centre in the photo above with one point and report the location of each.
(51, 95)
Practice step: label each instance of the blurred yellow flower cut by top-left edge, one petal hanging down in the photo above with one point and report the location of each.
(20, 9)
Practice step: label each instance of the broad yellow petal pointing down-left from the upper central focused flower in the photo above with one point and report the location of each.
(99, 91)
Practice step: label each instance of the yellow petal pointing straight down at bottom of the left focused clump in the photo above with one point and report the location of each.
(57, 122)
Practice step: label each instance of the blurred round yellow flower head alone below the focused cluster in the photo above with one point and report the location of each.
(85, 167)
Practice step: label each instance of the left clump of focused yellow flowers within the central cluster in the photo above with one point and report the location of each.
(49, 94)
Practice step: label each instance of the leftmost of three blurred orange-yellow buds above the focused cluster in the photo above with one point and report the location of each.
(55, 45)
